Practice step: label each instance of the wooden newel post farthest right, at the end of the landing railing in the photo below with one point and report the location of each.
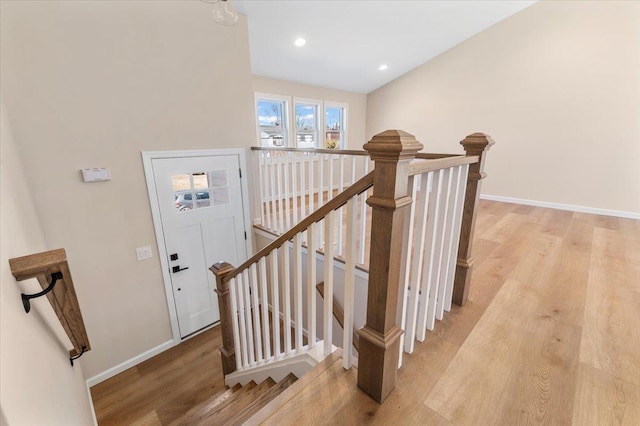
(474, 144)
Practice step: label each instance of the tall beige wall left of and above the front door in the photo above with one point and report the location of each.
(92, 84)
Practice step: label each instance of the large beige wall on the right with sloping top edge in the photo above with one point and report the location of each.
(556, 85)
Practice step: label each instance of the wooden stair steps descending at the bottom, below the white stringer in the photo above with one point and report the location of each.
(237, 404)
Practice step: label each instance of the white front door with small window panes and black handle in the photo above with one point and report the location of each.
(200, 204)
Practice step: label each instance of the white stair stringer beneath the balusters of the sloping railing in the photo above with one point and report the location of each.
(297, 364)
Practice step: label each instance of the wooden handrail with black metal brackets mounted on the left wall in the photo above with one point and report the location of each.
(51, 270)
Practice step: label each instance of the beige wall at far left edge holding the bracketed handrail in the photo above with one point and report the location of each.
(38, 386)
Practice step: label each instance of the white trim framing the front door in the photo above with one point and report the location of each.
(147, 160)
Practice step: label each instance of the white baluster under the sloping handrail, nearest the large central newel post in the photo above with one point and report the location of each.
(349, 283)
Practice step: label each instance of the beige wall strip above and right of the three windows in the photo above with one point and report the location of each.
(356, 111)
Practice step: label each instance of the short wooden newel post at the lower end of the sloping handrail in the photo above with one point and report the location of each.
(227, 350)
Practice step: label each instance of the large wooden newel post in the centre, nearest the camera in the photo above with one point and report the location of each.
(392, 151)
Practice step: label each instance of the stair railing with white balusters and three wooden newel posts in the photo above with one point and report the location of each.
(422, 220)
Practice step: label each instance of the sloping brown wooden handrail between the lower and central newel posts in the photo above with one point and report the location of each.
(335, 203)
